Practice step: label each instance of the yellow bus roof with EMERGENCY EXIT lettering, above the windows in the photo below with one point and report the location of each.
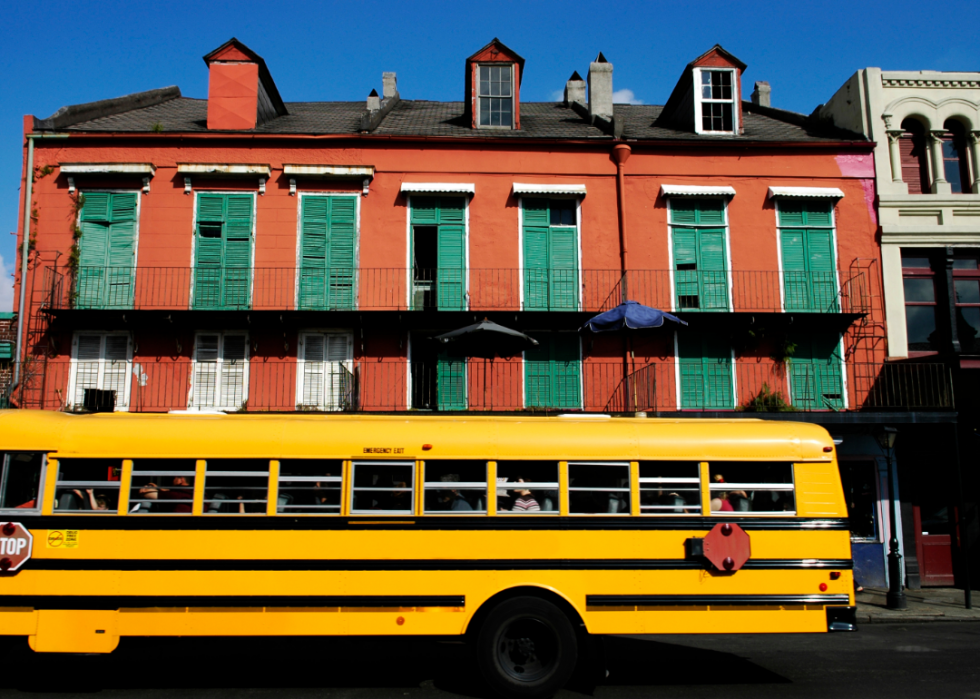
(395, 437)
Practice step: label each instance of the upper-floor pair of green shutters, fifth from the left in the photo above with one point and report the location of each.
(550, 260)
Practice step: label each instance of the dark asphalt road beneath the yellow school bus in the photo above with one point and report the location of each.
(894, 661)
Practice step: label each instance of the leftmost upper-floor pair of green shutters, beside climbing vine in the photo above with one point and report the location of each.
(107, 250)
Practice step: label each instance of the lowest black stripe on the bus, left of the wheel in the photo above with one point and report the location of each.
(244, 601)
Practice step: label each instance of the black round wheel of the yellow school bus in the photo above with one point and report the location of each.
(526, 648)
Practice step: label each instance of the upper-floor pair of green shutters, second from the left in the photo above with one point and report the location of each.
(223, 251)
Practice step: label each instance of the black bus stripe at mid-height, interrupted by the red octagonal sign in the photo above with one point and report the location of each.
(286, 565)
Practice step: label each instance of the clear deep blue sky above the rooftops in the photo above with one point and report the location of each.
(58, 53)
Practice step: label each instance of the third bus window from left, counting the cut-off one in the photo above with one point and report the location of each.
(162, 486)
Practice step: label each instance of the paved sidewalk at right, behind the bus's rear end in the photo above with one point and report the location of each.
(930, 604)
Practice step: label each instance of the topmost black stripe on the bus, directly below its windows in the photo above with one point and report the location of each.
(428, 523)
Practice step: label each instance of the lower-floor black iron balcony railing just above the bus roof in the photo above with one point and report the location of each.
(591, 385)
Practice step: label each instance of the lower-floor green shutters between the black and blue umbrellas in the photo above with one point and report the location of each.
(552, 373)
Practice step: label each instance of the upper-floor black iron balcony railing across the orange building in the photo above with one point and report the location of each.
(447, 289)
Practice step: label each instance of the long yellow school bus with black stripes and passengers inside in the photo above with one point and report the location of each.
(525, 535)
